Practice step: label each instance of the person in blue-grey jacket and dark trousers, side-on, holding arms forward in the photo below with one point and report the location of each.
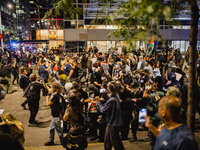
(114, 119)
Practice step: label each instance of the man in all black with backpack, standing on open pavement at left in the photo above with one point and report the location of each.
(33, 100)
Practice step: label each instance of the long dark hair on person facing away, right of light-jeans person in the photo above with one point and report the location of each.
(73, 97)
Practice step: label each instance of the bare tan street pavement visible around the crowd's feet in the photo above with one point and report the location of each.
(35, 137)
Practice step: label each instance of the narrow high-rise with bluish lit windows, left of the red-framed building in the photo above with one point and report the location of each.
(23, 20)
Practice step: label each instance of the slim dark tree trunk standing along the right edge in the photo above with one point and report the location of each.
(194, 12)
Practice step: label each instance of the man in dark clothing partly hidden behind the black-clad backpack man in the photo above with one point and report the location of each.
(24, 82)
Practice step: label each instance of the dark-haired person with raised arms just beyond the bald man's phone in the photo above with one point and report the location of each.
(152, 108)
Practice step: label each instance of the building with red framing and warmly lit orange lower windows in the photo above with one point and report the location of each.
(50, 29)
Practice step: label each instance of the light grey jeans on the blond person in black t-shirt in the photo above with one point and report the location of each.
(55, 125)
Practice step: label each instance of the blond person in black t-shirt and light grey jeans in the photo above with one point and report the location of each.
(56, 112)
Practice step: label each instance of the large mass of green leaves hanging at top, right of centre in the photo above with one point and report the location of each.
(140, 19)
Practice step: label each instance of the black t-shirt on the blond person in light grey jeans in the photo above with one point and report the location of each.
(56, 107)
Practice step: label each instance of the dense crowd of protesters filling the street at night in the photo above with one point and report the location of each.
(100, 94)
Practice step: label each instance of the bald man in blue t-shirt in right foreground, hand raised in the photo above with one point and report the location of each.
(174, 134)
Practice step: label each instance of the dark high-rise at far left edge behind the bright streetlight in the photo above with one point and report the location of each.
(9, 20)
